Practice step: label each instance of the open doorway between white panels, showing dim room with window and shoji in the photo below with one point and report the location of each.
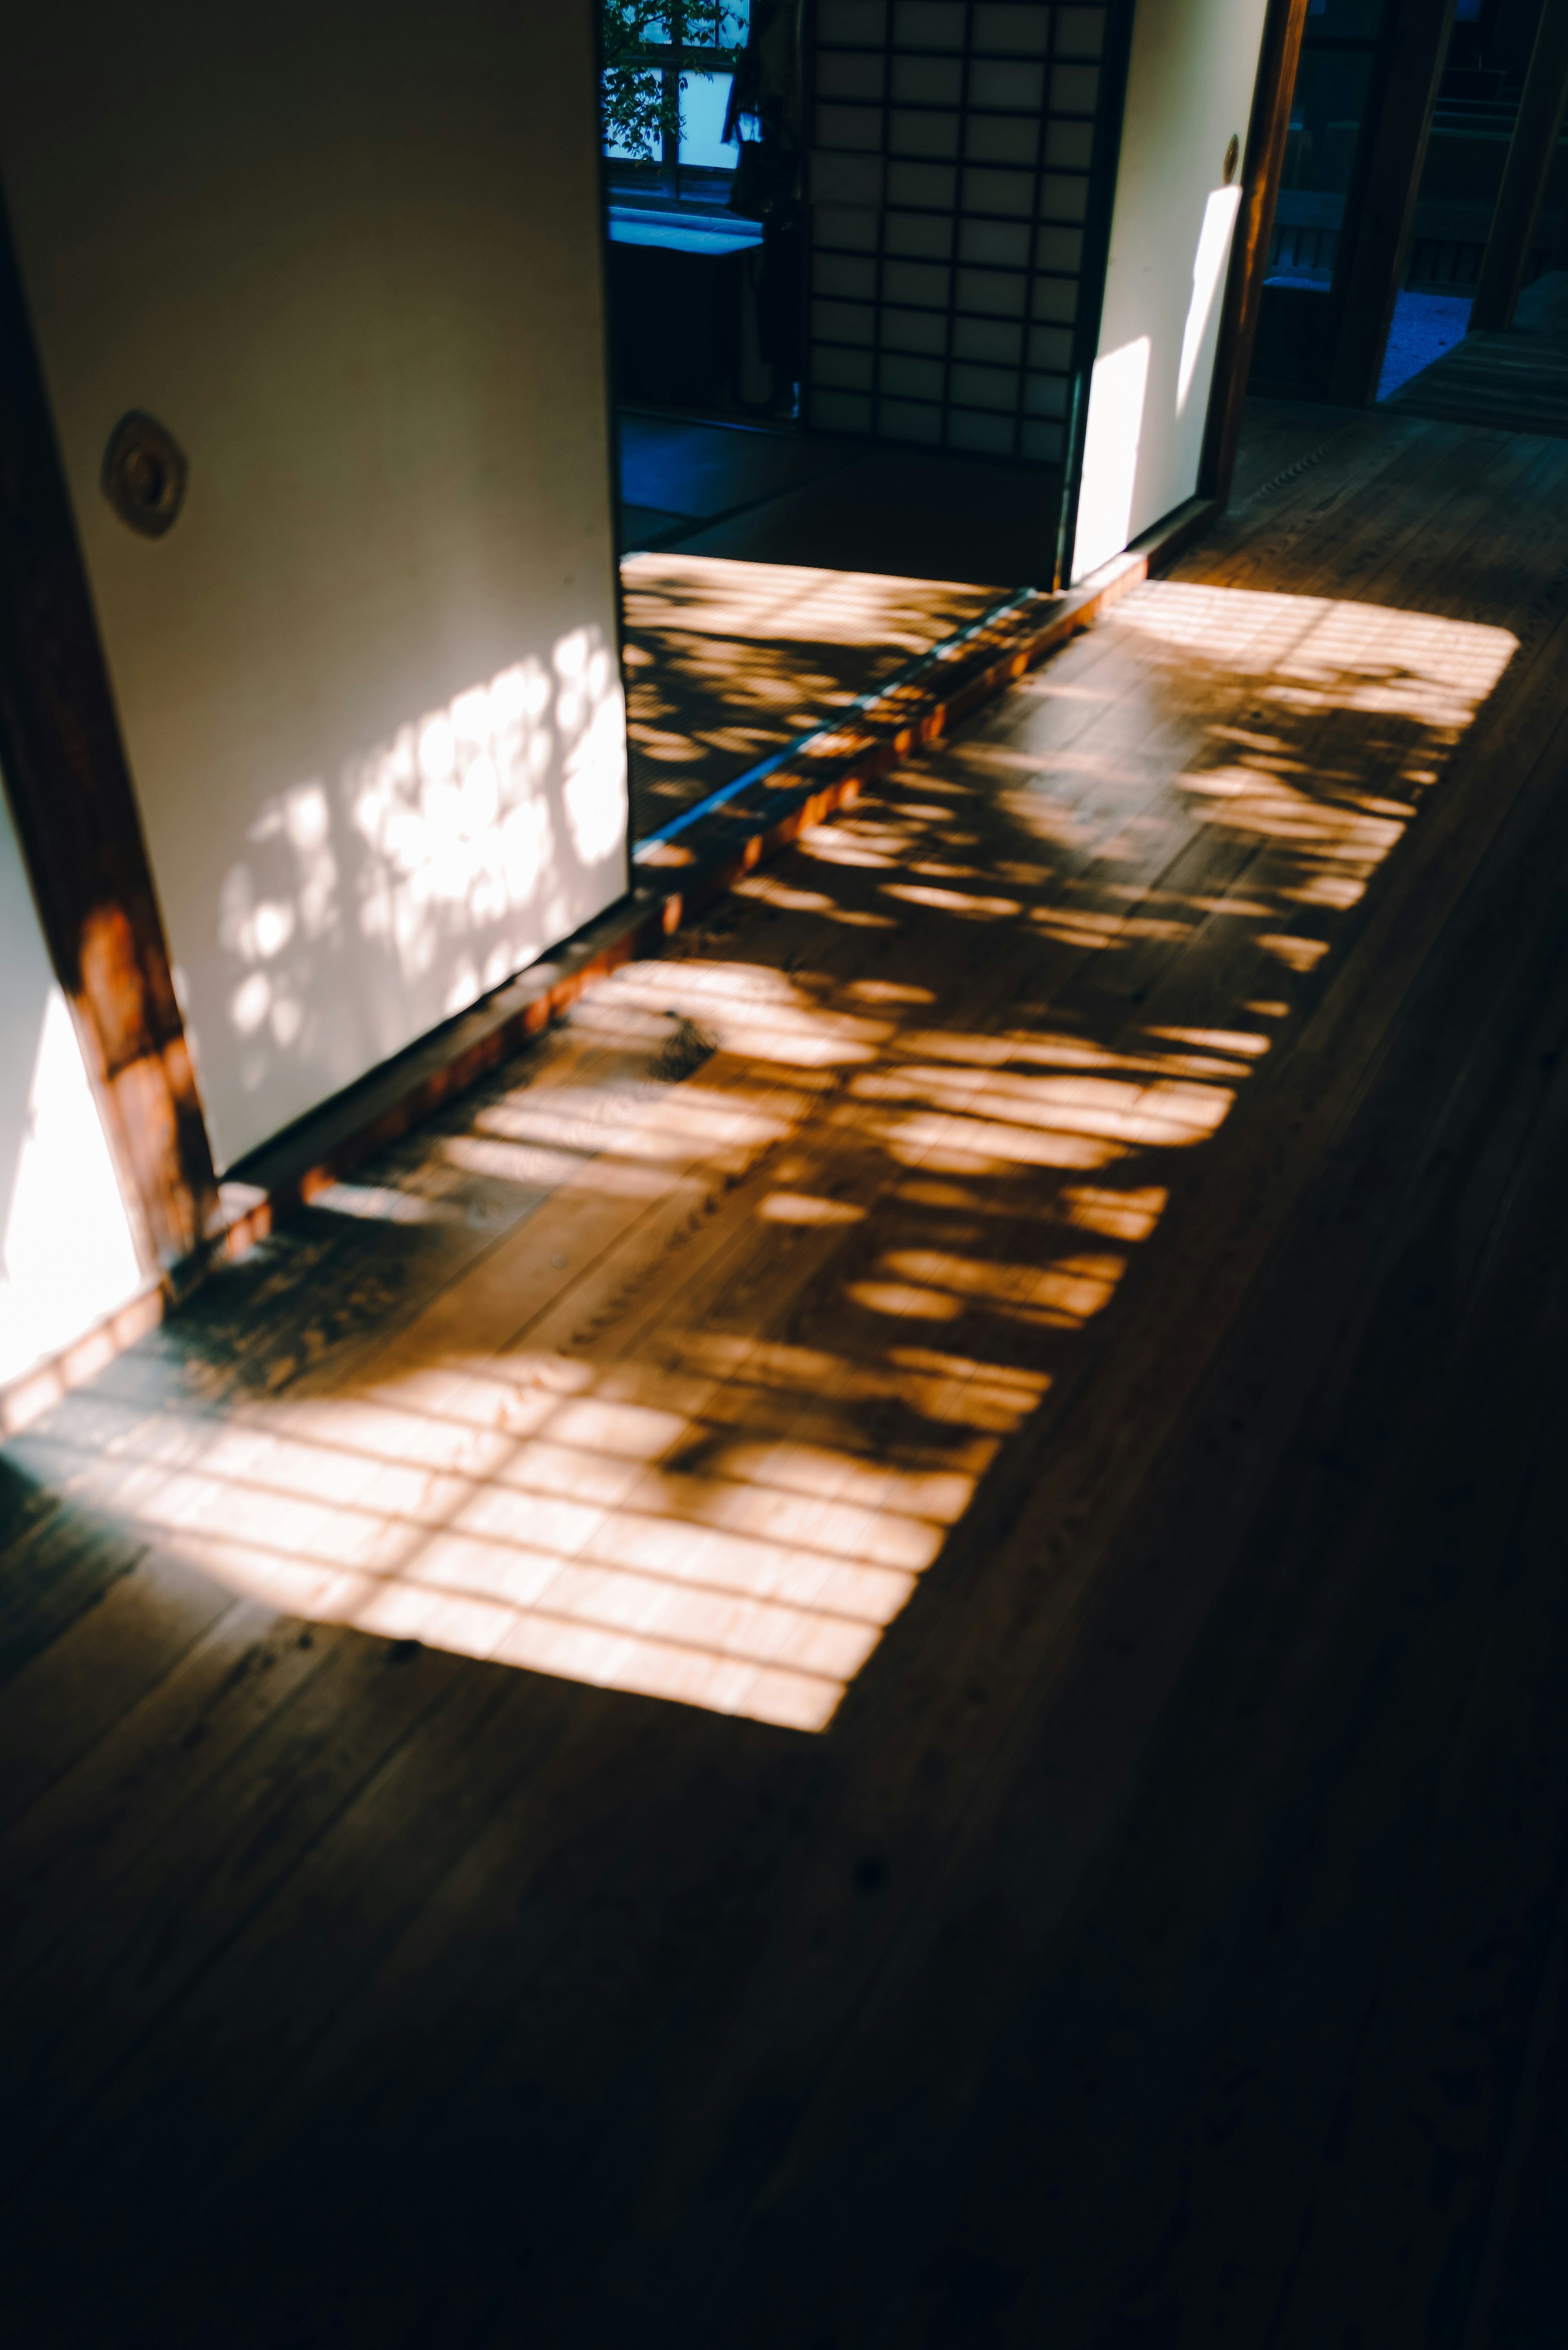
(843, 340)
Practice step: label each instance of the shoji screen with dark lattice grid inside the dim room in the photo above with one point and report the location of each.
(949, 196)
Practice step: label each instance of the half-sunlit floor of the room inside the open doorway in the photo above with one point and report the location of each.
(772, 577)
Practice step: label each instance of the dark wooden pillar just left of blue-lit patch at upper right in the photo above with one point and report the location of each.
(1381, 201)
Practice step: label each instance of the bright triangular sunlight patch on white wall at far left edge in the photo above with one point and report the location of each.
(67, 1251)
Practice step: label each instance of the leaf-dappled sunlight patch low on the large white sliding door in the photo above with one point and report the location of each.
(455, 852)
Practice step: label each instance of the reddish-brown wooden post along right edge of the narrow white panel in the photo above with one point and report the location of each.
(1249, 253)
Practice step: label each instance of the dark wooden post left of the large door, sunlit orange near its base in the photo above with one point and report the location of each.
(76, 817)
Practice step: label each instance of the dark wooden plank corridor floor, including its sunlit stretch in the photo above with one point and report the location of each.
(878, 1658)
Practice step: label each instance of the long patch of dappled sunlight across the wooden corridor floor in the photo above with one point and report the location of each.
(815, 1216)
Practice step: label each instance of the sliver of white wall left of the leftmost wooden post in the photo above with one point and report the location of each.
(67, 1254)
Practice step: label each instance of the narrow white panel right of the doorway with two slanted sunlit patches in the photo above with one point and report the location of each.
(1191, 86)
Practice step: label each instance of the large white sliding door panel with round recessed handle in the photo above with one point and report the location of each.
(370, 692)
